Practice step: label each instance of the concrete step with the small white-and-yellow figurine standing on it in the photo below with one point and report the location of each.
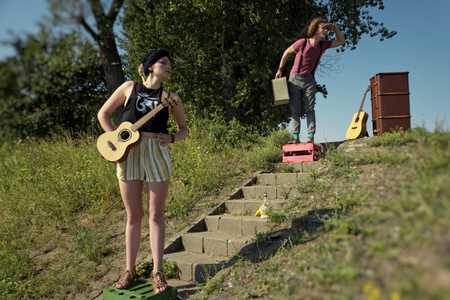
(238, 225)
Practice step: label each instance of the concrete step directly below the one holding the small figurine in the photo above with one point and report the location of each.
(214, 243)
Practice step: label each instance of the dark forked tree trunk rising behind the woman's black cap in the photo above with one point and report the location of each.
(81, 12)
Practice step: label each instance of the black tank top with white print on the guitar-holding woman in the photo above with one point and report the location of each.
(141, 101)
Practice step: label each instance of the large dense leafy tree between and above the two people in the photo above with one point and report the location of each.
(226, 52)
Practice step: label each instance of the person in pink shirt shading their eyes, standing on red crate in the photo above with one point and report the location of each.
(302, 84)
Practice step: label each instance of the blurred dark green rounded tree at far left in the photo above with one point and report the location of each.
(52, 84)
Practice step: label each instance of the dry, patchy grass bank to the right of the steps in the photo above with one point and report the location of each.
(375, 225)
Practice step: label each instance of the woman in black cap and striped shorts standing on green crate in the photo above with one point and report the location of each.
(147, 163)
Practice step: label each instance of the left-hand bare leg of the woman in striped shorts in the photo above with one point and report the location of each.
(131, 192)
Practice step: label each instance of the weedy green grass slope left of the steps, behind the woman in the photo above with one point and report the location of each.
(62, 215)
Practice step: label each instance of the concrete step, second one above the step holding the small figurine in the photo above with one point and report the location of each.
(279, 192)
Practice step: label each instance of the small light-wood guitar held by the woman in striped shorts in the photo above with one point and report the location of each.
(113, 145)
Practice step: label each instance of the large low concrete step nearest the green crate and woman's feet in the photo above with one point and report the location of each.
(194, 266)
